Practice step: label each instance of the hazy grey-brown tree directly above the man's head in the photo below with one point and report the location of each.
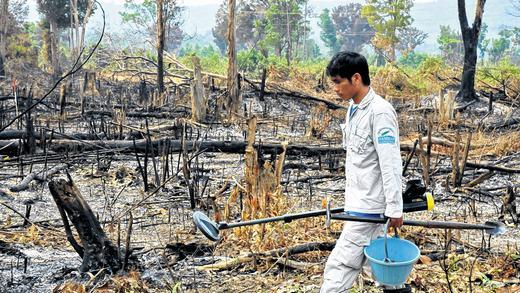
(352, 29)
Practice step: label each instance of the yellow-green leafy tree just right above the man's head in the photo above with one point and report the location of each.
(387, 17)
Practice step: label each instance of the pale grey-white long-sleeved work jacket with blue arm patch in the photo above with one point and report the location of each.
(373, 165)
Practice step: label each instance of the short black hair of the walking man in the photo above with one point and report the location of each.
(345, 64)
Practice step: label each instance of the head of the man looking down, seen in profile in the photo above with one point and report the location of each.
(349, 72)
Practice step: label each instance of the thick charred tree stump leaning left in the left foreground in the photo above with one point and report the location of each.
(96, 248)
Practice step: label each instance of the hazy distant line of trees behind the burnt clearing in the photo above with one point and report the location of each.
(266, 32)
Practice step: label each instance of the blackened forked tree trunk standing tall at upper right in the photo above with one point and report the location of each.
(470, 37)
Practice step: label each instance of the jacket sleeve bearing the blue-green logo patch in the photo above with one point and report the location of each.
(386, 142)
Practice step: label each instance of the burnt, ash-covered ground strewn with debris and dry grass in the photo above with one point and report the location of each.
(37, 258)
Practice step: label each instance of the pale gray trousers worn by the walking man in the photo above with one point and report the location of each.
(347, 258)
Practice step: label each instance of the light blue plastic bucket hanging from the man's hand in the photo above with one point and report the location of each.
(402, 254)
